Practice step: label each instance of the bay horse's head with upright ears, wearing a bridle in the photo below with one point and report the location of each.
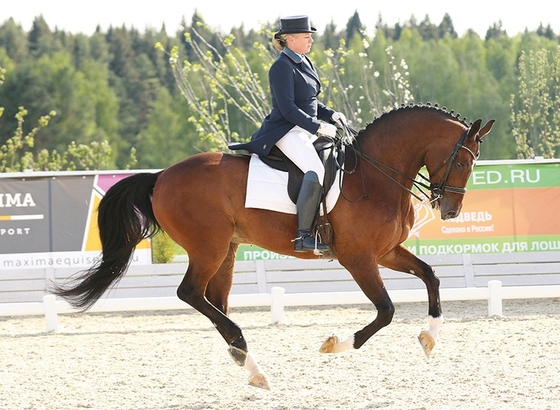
(449, 176)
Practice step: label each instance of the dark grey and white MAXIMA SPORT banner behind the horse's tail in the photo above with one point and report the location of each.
(51, 221)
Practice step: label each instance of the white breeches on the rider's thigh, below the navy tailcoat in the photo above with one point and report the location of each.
(297, 145)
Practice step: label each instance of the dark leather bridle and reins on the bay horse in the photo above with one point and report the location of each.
(436, 189)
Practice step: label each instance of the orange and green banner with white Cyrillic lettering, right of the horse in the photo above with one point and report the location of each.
(507, 208)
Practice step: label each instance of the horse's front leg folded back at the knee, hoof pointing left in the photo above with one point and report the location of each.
(366, 274)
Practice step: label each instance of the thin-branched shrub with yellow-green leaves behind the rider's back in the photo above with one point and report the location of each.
(224, 94)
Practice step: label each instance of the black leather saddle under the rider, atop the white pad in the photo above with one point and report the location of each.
(331, 153)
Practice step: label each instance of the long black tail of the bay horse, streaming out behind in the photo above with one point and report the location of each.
(125, 217)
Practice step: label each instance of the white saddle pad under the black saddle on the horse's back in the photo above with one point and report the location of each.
(267, 189)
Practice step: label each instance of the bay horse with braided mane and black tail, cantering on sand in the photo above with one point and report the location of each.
(200, 203)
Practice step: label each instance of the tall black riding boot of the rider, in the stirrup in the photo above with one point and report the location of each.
(307, 205)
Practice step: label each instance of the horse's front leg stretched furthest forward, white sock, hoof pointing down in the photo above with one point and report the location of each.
(402, 260)
